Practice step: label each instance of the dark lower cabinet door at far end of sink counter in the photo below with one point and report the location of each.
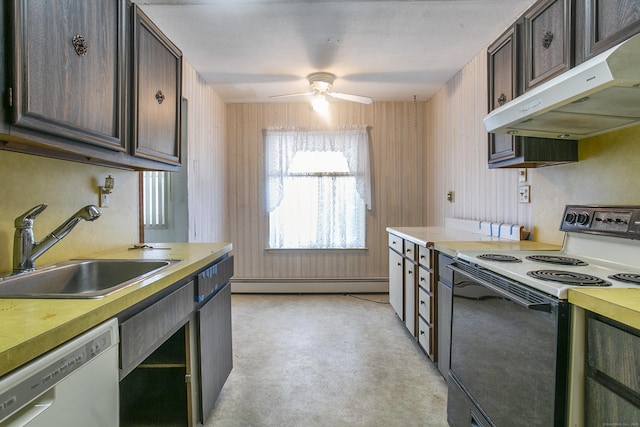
(215, 352)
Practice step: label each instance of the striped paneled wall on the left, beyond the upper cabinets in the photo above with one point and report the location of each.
(206, 160)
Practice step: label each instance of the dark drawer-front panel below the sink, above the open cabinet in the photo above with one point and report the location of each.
(146, 331)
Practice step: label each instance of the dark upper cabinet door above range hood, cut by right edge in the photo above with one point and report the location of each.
(602, 24)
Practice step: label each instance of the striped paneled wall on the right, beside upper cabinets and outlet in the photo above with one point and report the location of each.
(457, 155)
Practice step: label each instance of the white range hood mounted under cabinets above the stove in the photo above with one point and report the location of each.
(598, 96)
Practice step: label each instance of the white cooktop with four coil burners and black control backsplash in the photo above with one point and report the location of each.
(601, 248)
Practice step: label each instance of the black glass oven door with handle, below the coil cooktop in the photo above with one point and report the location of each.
(508, 352)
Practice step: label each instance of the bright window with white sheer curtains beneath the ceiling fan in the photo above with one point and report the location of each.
(318, 188)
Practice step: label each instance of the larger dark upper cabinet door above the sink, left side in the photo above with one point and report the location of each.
(67, 78)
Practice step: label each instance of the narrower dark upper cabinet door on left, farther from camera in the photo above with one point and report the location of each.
(157, 77)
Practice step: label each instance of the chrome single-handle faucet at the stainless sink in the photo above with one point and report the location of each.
(26, 250)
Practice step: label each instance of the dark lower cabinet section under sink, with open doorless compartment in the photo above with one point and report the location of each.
(175, 350)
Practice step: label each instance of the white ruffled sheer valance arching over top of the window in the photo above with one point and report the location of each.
(282, 145)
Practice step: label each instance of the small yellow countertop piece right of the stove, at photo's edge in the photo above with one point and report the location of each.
(621, 305)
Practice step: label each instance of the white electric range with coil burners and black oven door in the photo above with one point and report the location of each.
(508, 318)
